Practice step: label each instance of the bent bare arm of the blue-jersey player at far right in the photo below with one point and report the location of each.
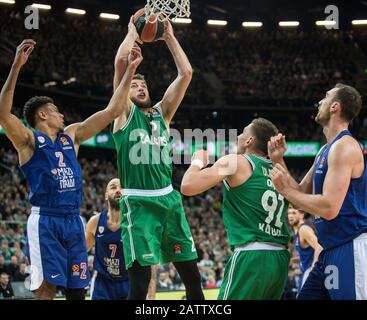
(341, 161)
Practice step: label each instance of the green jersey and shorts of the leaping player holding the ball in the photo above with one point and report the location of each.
(154, 225)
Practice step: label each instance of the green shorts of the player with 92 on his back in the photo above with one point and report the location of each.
(255, 275)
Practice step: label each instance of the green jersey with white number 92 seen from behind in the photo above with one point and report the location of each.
(255, 211)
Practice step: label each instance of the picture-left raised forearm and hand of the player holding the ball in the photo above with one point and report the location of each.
(121, 58)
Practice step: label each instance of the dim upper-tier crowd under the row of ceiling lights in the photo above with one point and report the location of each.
(236, 67)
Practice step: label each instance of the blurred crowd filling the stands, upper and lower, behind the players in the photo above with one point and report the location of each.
(244, 67)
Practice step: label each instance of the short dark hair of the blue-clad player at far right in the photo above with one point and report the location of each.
(350, 100)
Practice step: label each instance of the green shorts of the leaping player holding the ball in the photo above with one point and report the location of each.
(155, 230)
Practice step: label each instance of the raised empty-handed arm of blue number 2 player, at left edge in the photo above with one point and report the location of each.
(19, 135)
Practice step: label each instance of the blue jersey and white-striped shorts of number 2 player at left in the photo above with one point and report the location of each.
(56, 243)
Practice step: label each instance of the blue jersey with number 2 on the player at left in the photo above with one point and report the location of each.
(54, 176)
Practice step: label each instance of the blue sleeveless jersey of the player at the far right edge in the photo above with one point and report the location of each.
(352, 218)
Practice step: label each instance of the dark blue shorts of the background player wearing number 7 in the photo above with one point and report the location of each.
(103, 288)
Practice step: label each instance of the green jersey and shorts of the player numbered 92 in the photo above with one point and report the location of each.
(254, 215)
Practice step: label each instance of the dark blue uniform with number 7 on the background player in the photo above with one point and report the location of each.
(110, 282)
